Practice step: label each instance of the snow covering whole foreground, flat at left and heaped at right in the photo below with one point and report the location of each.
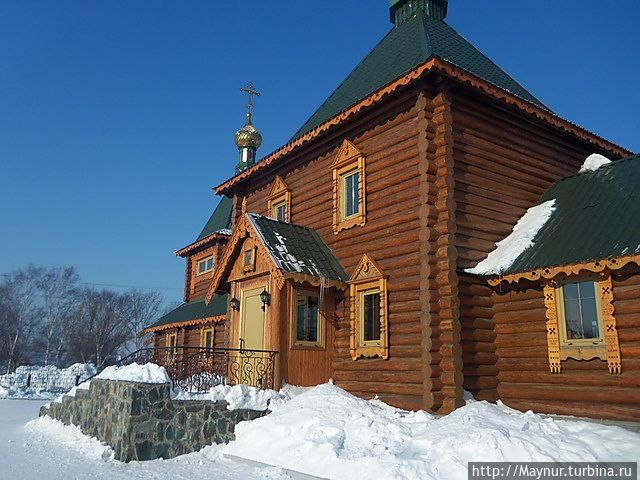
(321, 431)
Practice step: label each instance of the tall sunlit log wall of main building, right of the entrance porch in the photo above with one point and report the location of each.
(387, 137)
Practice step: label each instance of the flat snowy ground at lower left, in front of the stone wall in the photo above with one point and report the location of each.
(47, 450)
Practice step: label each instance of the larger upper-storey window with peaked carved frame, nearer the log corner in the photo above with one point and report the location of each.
(349, 203)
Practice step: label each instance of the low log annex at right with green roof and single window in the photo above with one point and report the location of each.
(567, 309)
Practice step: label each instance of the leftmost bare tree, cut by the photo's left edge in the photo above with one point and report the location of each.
(18, 291)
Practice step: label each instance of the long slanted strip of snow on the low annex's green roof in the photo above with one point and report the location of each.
(520, 239)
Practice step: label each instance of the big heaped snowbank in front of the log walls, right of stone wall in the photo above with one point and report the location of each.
(329, 433)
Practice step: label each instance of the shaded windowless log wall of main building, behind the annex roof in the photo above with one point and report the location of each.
(503, 163)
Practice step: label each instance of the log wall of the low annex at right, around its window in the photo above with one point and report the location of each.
(584, 388)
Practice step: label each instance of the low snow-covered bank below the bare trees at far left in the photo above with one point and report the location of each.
(46, 382)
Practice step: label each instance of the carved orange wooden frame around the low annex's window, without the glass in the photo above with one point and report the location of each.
(560, 349)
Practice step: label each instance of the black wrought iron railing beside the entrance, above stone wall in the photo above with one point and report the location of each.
(198, 369)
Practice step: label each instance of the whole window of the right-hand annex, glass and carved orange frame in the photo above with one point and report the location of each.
(580, 322)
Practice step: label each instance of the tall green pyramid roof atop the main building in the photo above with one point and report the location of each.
(406, 46)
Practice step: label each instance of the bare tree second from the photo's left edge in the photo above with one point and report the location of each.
(57, 288)
